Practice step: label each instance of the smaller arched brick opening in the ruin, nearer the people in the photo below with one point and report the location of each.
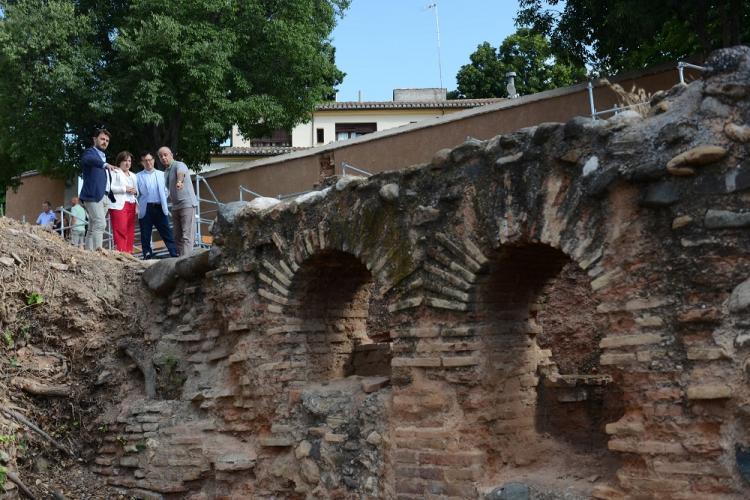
(332, 294)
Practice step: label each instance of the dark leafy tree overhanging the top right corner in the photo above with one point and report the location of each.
(618, 35)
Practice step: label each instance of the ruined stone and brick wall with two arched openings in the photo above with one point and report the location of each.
(567, 298)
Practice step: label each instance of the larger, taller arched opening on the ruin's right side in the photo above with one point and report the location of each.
(537, 322)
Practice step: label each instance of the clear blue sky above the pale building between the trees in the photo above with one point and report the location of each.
(387, 44)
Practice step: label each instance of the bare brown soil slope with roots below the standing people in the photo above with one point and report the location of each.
(61, 313)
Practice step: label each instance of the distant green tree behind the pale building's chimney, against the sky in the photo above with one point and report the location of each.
(528, 54)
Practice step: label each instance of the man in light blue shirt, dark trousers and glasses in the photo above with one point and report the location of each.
(152, 206)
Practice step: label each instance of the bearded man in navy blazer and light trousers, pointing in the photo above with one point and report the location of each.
(93, 192)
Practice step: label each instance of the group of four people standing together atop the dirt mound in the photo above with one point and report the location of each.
(125, 195)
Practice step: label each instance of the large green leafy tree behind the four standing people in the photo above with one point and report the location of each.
(156, 72)
